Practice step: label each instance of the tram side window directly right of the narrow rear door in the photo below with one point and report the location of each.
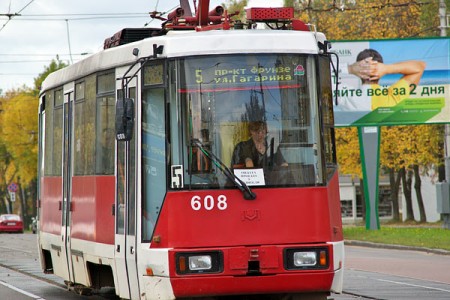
(84, 127)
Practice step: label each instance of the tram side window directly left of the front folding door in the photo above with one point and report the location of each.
(105, 123)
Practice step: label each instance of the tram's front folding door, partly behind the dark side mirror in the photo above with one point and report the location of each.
(125, 240)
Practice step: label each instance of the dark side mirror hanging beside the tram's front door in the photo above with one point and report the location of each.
(124, 119)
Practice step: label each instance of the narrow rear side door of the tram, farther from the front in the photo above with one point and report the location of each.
(67, 182)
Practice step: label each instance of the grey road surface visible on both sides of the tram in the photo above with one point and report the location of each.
(370, 273)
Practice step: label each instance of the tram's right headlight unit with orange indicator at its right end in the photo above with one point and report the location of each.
(307, 258)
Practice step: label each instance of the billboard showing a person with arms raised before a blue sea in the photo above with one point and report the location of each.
(414, 86)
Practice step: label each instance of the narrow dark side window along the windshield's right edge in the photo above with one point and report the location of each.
(327, 114)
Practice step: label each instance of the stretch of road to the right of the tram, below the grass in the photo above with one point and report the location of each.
(376, 273)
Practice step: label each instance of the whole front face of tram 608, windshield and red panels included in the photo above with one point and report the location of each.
(238, 175)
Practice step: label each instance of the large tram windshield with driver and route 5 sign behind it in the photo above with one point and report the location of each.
(255, 115)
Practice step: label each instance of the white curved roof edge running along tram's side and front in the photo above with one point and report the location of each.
(188, 43)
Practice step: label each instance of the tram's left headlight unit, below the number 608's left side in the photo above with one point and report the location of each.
(199, 262)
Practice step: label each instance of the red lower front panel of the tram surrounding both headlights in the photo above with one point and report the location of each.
(273, 274)
